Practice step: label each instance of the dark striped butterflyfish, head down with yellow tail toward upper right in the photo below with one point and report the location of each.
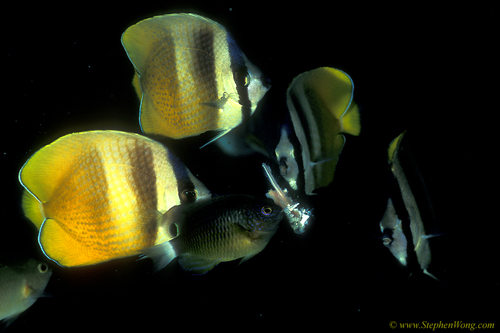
(321, 108)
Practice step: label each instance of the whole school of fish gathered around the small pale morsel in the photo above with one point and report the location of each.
(97, 196)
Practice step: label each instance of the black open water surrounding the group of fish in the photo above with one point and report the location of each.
(427, 70)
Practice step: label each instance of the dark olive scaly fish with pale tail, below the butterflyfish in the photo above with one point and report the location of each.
(221, 229)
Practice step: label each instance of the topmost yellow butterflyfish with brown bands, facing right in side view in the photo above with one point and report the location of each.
(191, 76)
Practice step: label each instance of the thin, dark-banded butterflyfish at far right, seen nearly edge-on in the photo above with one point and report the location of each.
(404, 231)
